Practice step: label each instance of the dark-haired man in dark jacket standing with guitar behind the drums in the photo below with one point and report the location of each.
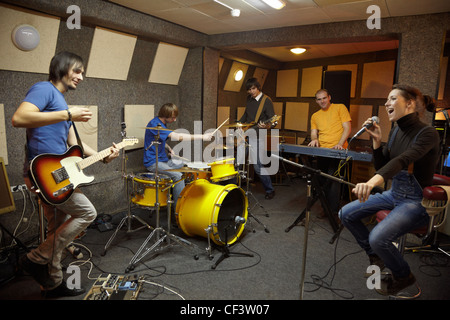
(254, 100)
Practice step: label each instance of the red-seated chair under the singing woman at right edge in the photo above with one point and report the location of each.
(435, 200)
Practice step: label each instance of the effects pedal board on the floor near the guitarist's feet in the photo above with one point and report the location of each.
(115, 287)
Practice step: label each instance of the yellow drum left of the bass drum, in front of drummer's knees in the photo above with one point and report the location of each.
(144, 189)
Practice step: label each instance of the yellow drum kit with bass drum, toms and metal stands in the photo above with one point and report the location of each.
(211, 205)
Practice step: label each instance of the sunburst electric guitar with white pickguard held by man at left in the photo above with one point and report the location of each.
(56, 176)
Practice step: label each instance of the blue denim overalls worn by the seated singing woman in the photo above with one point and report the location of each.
(407, 213)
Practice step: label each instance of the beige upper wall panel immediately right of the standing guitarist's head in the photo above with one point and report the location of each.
(111, 54)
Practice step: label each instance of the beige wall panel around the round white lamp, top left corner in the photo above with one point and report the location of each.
(37, 60)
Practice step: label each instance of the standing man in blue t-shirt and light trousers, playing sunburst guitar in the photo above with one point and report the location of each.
(48, 120)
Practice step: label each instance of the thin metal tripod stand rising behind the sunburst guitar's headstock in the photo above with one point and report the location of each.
(129, 217)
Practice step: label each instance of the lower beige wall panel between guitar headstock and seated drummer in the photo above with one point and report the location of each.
(136, 118)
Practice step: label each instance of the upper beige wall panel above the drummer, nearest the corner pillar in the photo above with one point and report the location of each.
(168, 64)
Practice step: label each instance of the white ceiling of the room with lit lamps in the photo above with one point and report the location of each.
(210, 17)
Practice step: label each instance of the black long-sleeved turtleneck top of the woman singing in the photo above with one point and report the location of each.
(424, 152)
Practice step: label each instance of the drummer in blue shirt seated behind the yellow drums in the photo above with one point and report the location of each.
(167, 114)
